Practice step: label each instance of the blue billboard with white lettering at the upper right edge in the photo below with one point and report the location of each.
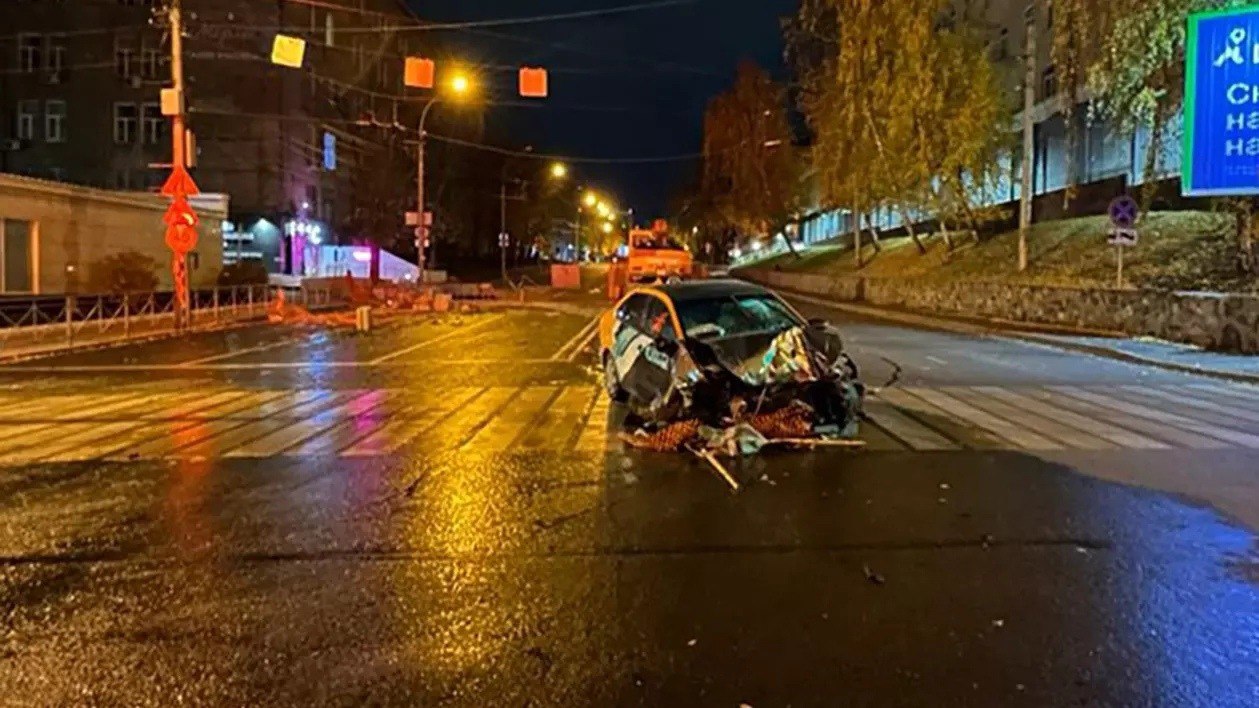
(1222, 104)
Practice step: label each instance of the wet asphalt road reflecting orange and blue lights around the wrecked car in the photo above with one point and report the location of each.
(438, 515)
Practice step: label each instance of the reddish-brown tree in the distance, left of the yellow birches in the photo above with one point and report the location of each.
(750, 180)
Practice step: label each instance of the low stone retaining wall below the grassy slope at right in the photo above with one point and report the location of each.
(1227, 323)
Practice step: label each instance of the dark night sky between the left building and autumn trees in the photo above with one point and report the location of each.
(621, 86)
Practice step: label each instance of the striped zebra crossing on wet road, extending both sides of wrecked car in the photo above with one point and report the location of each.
(230, 423)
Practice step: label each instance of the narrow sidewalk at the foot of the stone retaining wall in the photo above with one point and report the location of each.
(1140, 351)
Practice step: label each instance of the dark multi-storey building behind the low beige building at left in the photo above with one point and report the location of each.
(81, 81)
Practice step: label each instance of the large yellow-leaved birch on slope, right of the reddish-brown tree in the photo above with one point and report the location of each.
(905, 105)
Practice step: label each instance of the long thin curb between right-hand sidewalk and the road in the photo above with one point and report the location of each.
(1004, 329)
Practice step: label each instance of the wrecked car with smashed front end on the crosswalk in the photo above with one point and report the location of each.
(708, 357)
